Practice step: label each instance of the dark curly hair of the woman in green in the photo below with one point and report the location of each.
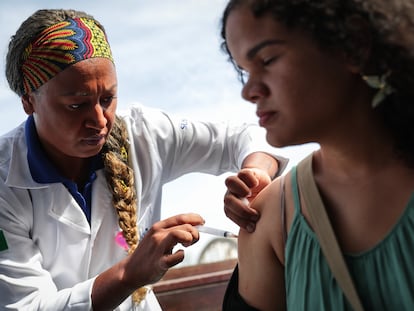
(331, 24)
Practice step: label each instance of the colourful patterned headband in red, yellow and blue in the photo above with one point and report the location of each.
(60, 46)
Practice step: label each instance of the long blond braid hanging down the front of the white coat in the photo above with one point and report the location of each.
(120, 179)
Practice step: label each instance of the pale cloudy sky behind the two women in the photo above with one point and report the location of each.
(167, 54)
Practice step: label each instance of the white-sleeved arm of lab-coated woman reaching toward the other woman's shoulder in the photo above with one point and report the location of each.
(184, 145)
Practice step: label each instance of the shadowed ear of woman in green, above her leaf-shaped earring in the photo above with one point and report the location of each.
(360, 41)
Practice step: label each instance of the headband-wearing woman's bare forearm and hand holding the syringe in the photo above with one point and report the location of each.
(149, 262)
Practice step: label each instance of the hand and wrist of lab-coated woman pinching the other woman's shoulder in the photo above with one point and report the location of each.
(257, 172)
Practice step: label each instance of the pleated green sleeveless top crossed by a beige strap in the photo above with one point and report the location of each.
(383, 275)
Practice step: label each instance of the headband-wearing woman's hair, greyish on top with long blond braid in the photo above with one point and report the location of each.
(119, 174)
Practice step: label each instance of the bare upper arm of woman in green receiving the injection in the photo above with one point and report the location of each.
(261, 272)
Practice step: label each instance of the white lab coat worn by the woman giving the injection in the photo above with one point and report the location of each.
(53, 254)
